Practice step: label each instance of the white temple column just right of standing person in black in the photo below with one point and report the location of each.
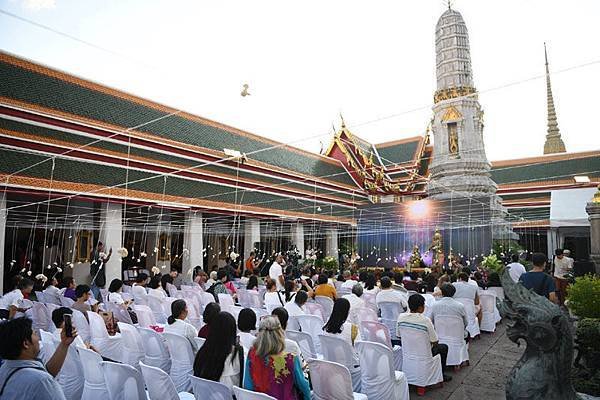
(112, 237)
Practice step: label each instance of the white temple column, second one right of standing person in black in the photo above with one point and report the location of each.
(193, 243)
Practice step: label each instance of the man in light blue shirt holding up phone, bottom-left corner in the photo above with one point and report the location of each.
(22, 374)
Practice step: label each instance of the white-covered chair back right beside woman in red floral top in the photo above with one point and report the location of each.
(331, 381)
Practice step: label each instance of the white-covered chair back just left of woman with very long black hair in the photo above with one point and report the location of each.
(182, 360)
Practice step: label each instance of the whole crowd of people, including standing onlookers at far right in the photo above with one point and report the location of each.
(253, 352)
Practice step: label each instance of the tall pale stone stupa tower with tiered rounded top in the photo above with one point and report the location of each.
(460, 167)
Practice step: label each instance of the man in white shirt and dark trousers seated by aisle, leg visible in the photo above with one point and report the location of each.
(416, 320)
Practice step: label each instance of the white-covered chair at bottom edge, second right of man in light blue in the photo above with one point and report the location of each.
(123, 382)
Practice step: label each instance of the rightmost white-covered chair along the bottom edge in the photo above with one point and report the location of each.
(379, 379)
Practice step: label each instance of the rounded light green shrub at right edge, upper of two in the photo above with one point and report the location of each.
(584, 297)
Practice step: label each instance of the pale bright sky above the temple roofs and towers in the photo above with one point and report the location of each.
(307, 61)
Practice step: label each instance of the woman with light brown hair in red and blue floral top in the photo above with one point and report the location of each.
(272, 370)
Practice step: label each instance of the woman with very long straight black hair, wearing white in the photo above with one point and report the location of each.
(221, 359)
